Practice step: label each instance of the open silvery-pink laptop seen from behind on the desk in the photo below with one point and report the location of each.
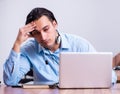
(85, 70)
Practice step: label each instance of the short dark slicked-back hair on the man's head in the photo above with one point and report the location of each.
(36, 13)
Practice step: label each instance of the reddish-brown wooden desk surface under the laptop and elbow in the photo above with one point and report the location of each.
(9, 90)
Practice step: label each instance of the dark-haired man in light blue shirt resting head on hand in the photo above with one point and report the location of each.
(41, 53)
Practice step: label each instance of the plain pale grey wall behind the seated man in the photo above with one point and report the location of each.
(96, 20)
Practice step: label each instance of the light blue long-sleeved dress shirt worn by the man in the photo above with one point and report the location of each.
(45, 64)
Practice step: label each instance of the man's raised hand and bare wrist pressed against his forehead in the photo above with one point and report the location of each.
(23, 35)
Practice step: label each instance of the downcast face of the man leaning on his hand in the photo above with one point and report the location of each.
(45, 32)
